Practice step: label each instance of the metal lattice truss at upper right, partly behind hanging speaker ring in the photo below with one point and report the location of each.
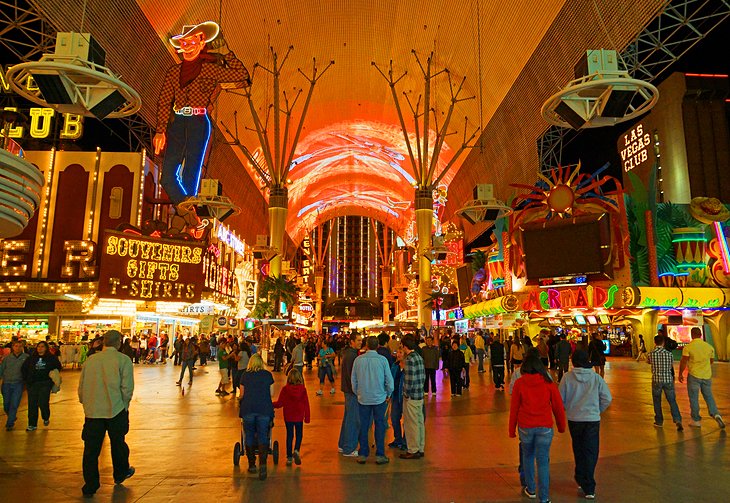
(669, 36)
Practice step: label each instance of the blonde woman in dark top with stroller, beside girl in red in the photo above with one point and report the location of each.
(257, 412)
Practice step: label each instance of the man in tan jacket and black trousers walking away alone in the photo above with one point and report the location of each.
(105, 390)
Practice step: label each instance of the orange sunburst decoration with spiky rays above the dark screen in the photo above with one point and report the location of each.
(565, 191)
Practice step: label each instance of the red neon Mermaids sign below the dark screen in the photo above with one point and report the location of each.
(569, 298)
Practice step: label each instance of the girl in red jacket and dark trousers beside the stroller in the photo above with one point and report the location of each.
(293, 398)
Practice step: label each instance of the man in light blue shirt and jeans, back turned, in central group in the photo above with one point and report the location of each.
(372, 382)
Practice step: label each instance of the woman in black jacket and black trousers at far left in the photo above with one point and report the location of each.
(35, 371)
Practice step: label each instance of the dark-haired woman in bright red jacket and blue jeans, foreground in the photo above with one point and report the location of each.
(535, 400)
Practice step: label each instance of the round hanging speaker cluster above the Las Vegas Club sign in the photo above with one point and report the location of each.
(601, 95)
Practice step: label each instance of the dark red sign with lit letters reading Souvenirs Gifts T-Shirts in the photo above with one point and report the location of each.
(140, 268)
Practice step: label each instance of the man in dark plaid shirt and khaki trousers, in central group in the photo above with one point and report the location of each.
(413, 420)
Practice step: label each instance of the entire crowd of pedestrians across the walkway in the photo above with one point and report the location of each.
(554, 384)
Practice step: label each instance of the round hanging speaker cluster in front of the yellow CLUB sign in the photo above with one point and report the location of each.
(74, 80)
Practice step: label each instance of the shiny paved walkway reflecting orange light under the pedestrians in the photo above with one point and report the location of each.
(182, 446)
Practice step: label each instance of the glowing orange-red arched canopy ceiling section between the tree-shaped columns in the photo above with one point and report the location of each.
(353, 168)
